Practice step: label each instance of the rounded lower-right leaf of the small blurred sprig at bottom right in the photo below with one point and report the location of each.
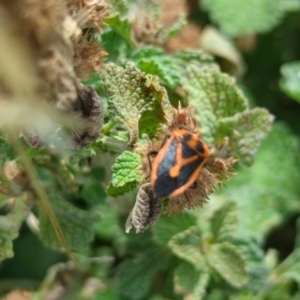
(229, 262)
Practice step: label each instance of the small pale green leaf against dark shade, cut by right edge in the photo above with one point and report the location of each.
(290, 79)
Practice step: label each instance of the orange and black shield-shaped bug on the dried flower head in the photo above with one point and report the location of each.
(178, 163)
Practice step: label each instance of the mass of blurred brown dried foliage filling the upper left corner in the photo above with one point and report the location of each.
(58, 45)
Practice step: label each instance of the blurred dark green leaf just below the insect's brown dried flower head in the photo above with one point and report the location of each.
(168, 226)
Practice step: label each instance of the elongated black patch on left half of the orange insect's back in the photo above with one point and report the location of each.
(164, 184)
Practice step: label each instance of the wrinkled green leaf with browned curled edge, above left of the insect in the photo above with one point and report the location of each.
(136, 100)
